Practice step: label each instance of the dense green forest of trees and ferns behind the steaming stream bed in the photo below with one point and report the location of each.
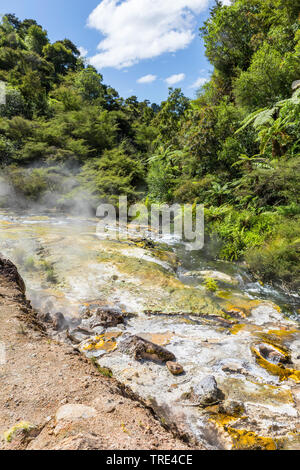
(64, 134)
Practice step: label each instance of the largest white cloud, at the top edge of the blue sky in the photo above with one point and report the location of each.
(141, 29)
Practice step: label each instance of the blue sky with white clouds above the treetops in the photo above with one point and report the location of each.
(140, 46)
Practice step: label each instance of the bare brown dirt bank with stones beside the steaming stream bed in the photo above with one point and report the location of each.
(70, 404)
